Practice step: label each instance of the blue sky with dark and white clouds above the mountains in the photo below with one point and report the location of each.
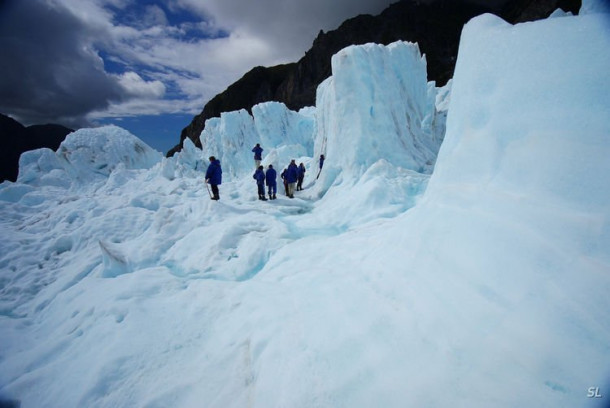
(148, 66)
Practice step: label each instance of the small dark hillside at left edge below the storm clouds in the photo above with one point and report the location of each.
(17, 139)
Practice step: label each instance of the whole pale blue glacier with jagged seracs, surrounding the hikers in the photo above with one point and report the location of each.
(453, 251)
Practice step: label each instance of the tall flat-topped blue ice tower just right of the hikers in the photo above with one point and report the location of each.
(377, 105)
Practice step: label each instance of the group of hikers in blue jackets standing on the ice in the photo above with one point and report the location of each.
(292, 176)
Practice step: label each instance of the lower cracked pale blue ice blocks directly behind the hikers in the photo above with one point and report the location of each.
(283, 134)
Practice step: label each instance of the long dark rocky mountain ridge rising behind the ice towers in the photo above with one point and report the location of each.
(435, 27)
